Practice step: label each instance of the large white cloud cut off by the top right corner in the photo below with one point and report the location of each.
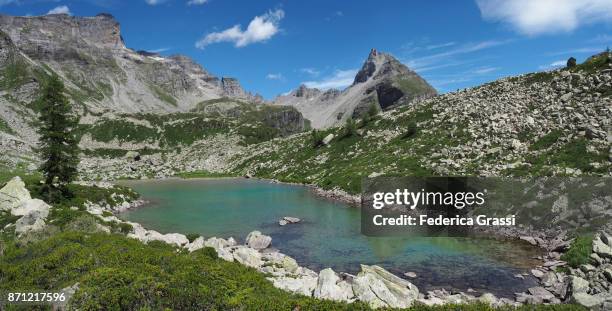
(535, 17)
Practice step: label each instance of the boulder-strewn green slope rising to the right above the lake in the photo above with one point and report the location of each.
(547, 123)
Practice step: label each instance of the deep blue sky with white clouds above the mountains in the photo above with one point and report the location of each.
(273, 46)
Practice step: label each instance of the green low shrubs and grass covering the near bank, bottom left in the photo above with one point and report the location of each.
(117, 273)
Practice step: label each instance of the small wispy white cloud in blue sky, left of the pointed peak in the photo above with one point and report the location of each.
(260, 29)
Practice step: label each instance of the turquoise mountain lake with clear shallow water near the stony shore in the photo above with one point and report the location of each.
(329, 234)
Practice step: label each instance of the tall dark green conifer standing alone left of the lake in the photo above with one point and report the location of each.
(58, 146)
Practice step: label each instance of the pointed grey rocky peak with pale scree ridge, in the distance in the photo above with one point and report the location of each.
(383, 81)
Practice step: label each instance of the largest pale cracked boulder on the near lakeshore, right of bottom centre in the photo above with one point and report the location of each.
(380, 288)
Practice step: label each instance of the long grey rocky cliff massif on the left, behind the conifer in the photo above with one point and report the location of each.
(102, 76)
